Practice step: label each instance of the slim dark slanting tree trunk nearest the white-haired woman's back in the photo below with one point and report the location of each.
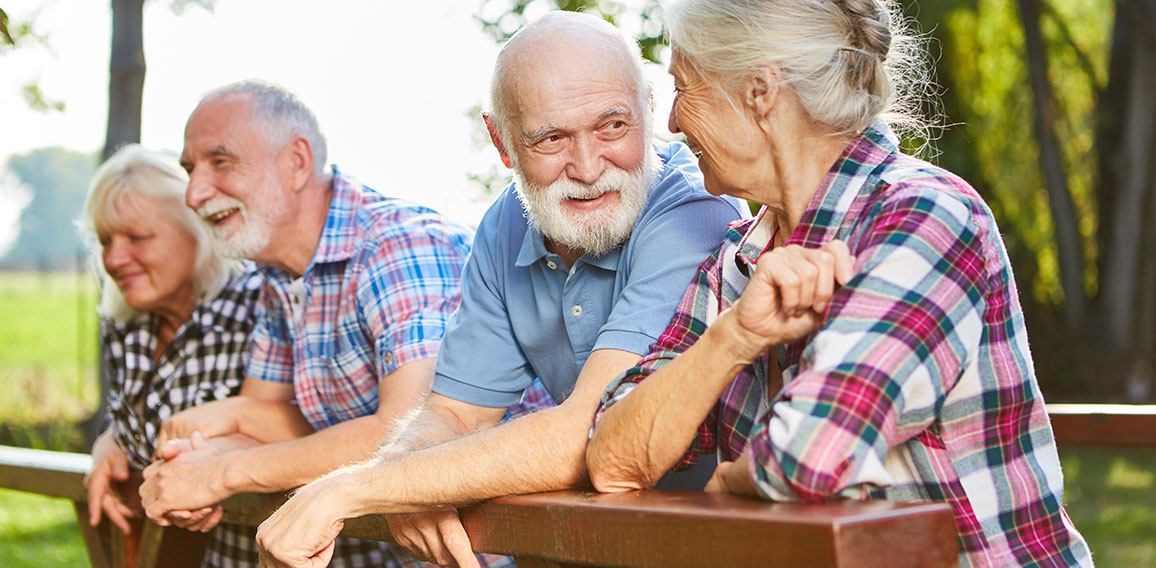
(1069, 245)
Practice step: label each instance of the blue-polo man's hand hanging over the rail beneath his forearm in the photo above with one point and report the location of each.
(434, 537)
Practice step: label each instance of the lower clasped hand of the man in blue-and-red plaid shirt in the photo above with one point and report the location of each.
(186, 486)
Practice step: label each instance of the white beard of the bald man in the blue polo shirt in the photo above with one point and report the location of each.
(597, 232)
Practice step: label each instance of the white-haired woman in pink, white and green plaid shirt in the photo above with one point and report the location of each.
(862, 337)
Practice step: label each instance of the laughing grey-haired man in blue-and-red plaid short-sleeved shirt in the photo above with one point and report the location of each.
(358, 290)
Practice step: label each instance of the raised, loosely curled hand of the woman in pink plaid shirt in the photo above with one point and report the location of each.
(788, 296)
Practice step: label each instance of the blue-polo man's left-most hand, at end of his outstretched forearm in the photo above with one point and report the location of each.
(301, 534)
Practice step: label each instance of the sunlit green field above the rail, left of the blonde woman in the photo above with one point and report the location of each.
(48, 348)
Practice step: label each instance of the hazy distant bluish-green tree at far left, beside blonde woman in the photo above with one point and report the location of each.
(48, 233)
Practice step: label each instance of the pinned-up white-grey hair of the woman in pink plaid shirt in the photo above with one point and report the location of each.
(848, 62)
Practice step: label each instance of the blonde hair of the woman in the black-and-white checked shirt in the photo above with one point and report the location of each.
(137, 173)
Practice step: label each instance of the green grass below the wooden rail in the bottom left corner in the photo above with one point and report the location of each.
(40, 533)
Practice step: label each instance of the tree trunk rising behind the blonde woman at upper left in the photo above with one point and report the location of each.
(127, 75)
